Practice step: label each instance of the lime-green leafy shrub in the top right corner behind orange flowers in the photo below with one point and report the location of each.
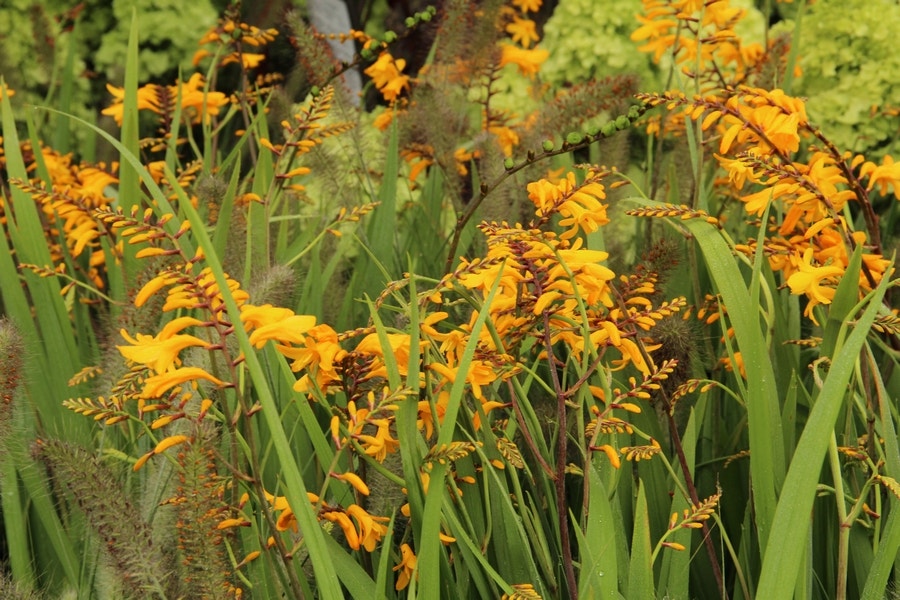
(850, 72)
